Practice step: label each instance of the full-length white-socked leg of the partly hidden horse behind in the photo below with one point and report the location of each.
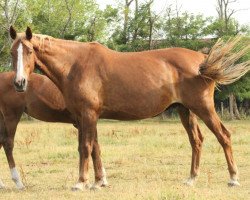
(8, 145)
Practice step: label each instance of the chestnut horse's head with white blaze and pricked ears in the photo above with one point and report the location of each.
(23, 57)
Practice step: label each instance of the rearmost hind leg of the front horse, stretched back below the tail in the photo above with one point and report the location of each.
(211, 119)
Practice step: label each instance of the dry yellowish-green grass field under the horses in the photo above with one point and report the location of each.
(143, 160)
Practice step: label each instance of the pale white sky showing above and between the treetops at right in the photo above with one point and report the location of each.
(205, 7)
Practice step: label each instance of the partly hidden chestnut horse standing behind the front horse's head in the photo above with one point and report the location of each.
(42, 100)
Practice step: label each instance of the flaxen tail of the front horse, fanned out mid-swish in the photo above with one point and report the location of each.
(220, 65)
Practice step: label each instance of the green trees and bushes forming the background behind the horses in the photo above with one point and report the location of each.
(132, 25)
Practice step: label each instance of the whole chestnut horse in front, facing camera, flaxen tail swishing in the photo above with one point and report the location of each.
(97, 82)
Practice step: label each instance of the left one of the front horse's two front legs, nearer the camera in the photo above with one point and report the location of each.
(86, 139)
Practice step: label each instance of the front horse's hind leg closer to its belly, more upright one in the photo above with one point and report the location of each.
(190, 123)
